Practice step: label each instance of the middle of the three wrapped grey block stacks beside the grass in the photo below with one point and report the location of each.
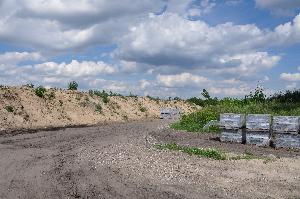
(258, 128)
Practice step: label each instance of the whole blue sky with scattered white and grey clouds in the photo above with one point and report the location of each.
(156, 47)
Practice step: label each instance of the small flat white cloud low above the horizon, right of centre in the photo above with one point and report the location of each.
(181, 80)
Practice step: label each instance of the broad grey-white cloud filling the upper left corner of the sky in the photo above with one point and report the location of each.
(61, 25)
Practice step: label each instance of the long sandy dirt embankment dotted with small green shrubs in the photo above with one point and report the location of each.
(20, 107)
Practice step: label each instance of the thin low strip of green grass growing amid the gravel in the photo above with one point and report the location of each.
(211, 153)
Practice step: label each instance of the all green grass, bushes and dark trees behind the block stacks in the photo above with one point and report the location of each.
(256, 102)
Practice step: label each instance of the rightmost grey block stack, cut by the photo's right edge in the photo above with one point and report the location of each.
(286, 131)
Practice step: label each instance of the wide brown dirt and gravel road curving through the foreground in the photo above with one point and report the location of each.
(117, 161)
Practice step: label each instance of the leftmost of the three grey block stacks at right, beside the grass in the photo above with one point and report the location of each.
(231, 126)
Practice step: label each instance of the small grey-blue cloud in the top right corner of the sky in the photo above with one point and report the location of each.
(281, 7)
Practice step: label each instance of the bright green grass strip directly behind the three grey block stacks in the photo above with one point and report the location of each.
(194, 122)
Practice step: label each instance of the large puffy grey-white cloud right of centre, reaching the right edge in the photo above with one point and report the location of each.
(170, 40)
